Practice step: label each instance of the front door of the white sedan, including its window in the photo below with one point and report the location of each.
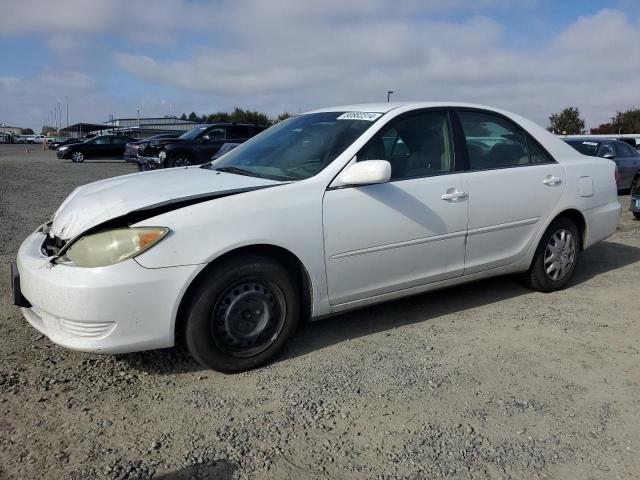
(404, 233)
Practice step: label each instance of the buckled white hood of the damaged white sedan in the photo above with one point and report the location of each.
(151, 192)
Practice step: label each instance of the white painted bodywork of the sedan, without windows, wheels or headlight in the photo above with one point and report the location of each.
(359, 245)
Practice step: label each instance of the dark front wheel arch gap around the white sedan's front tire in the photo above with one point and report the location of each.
(293, 264)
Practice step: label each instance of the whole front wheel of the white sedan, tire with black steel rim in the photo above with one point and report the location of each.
(221, 331)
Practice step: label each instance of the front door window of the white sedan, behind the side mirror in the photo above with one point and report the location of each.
(416, 146)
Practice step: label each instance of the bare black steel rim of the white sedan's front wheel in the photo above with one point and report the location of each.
(248, 318)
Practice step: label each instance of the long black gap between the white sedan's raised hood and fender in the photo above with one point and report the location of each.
(140, 214)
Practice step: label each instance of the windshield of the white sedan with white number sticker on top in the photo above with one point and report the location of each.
(298, 147)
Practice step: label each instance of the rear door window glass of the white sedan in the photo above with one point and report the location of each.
(493, 141)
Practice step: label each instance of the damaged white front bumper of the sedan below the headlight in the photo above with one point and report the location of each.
(116, 309)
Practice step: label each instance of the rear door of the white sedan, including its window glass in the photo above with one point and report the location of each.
(514, 185)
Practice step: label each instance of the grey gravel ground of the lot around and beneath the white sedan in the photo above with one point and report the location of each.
(487, 380)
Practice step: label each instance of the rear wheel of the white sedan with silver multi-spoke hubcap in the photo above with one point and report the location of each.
(546, 257)
